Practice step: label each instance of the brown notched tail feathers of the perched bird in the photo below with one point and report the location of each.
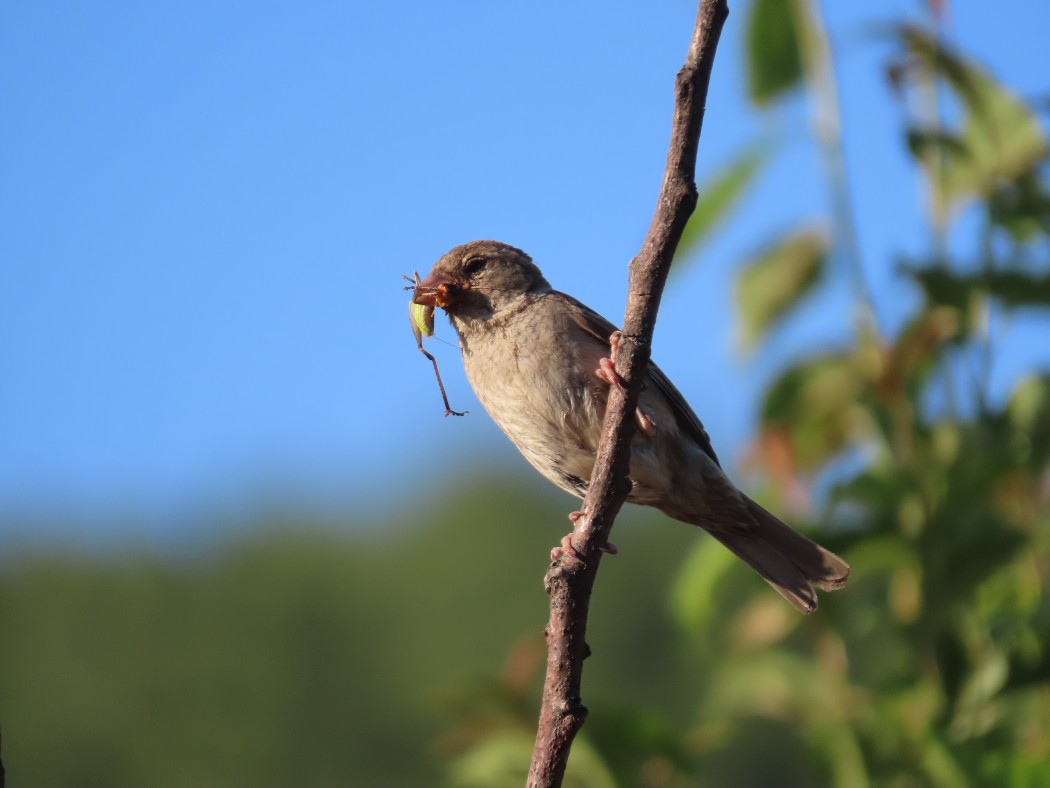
(786, 559)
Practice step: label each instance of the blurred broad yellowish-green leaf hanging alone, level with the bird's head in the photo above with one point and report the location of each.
(773, 283)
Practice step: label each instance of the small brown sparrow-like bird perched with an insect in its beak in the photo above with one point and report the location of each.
(542, 365)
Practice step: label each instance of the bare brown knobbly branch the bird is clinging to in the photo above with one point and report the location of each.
(570, 583)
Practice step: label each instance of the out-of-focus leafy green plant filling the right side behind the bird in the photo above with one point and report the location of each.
(934, 667)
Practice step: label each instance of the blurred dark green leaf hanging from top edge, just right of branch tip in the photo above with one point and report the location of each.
(774, 50)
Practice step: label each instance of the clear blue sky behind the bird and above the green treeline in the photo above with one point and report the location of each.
(206, 210)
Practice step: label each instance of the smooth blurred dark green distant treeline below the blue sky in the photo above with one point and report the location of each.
(312, 655)
